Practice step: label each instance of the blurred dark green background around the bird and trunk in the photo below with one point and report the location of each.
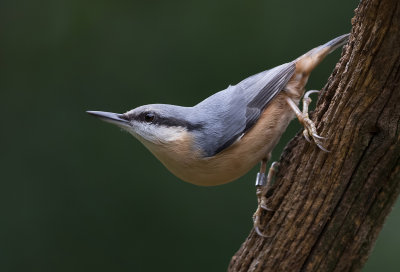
(76, 194)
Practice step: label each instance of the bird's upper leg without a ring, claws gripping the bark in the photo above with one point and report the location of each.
(310, 130)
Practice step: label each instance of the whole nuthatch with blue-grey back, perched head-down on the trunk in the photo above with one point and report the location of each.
(224, 136)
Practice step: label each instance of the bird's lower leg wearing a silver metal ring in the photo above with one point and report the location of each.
(263, 186)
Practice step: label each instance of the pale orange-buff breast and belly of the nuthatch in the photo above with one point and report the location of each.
(236, 160)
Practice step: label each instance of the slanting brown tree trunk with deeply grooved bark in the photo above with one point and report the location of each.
(330, 207)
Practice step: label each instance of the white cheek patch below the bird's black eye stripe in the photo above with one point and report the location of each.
(155, 133)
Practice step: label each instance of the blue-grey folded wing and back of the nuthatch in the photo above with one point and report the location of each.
(230, 113)
